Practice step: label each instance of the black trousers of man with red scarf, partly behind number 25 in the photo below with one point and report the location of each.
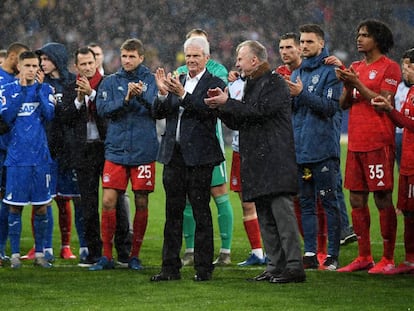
(89, 174)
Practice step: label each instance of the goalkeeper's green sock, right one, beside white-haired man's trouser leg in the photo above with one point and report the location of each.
(225, 221)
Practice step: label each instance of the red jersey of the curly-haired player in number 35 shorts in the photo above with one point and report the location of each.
(368, 129)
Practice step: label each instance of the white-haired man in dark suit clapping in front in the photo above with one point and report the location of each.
(189, 150)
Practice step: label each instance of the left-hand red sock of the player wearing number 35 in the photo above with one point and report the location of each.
(361, 220)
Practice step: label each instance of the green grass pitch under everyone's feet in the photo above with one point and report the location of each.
(68, 287)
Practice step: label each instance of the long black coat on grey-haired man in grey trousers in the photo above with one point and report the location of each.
(263, 118)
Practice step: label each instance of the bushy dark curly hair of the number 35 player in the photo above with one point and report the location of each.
(380, 32)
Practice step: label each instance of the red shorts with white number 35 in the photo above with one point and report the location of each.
(370, 171)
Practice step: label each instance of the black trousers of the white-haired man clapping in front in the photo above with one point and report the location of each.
(181, 181)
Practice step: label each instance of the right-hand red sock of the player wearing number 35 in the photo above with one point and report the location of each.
(388, 224)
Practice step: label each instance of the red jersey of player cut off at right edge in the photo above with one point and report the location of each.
(407, 153)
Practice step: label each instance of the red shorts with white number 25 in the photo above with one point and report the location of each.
(116, 176)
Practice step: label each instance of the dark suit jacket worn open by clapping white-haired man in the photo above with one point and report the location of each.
(198, 140)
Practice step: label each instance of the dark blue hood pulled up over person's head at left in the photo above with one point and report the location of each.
(58, 54)
